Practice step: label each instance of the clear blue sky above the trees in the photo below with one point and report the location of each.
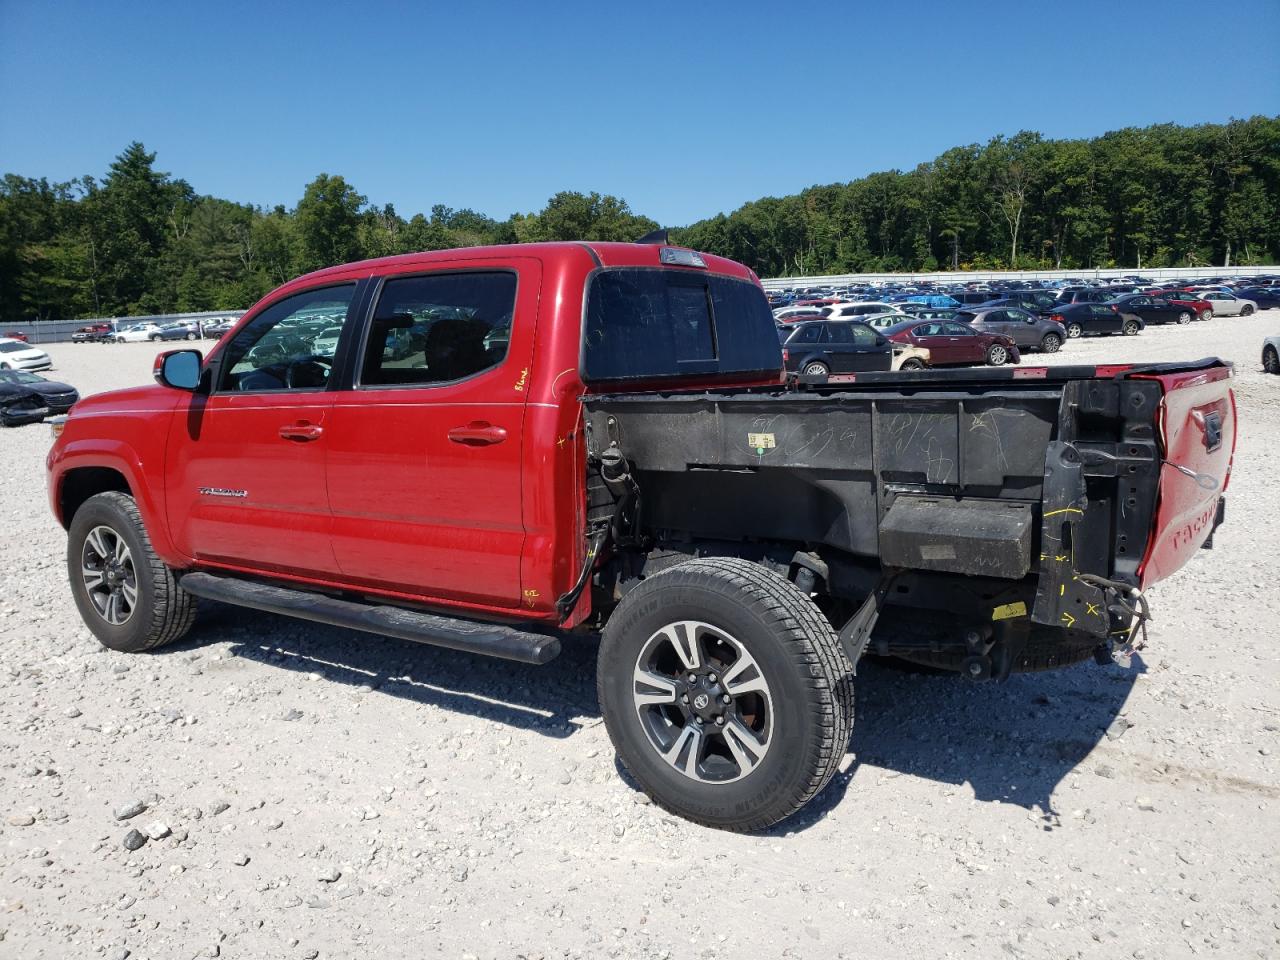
(684, 109)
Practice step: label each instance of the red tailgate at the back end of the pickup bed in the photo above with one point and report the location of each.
(1197, 441)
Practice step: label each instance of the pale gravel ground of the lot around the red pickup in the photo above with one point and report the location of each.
(301, 792)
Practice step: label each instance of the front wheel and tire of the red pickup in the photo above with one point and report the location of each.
(159, 614)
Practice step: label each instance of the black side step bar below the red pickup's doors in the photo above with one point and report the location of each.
(472, 637)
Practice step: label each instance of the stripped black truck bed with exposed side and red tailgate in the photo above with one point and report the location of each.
(1020, 505)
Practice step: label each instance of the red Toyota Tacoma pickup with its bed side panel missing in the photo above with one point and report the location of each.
(487, 449)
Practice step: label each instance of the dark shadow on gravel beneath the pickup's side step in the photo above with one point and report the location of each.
(552, 701)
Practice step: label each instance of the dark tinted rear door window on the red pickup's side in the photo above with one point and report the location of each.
(440, 328)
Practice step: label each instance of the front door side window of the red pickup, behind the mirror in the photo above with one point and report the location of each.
(276, 351)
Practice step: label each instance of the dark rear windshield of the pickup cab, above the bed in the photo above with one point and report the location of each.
(644, 324)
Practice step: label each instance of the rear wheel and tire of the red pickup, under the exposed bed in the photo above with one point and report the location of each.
(726, 610)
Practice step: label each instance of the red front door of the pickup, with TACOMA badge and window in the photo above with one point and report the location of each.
(246, 464)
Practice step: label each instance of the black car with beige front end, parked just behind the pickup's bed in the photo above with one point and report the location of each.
(844, 348)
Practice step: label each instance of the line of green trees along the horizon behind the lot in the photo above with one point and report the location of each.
(143, 243)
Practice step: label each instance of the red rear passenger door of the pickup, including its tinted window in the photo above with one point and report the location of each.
(426, 449)
